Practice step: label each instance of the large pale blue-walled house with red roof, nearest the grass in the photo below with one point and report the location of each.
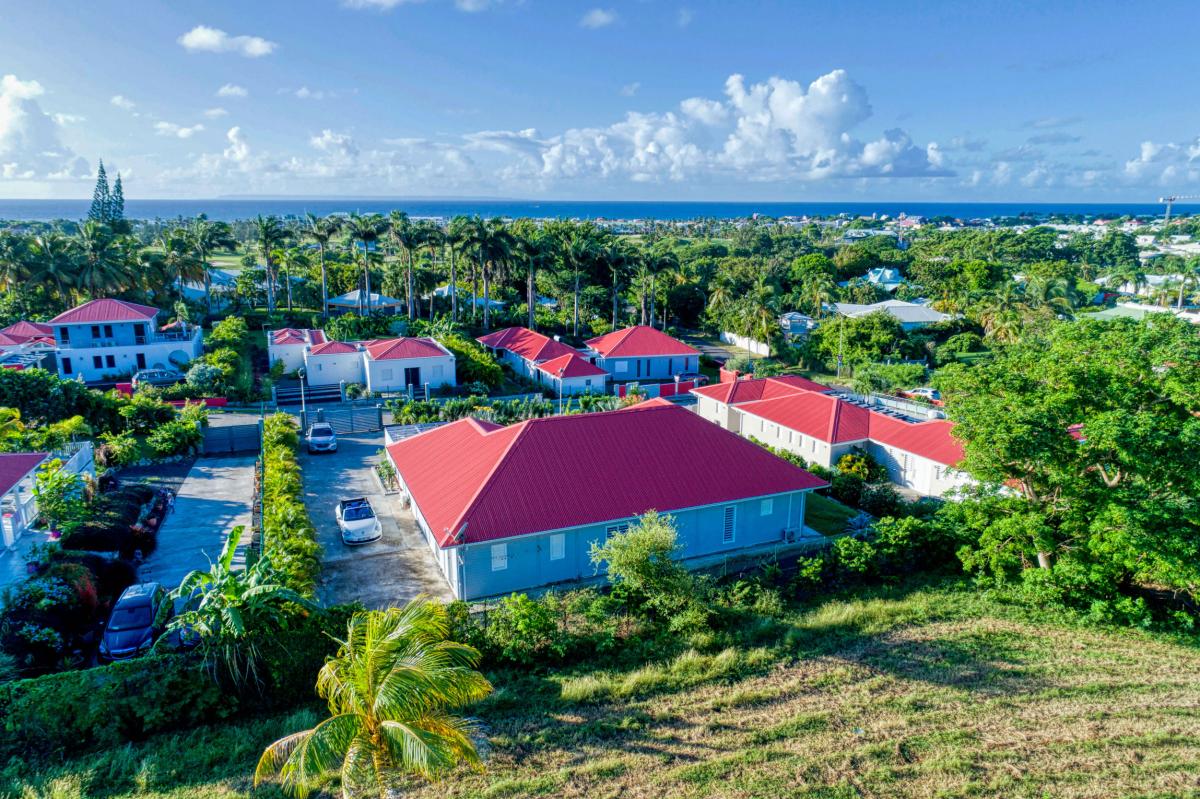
(512, 509)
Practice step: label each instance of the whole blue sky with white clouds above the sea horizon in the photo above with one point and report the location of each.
(626, 100)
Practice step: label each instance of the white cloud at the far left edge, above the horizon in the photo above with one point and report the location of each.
(31, 148)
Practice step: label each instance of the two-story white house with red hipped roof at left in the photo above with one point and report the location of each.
(106, 340)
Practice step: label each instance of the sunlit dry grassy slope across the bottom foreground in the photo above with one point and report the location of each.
(935, 692)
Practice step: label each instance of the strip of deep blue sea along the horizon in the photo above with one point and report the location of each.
(242, 209)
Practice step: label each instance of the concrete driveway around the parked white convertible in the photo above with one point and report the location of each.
(387, 573)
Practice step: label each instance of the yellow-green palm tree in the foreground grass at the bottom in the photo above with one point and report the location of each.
(393, 690)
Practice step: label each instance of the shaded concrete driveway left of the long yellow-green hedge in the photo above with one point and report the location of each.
(215, 497)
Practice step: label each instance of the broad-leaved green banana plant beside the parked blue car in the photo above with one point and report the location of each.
(232, 610)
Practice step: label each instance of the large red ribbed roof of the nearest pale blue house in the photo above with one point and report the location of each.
(549, 474)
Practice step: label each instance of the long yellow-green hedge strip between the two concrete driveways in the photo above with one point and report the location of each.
(290, 539)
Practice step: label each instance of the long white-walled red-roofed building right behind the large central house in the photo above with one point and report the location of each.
(811, 420)
